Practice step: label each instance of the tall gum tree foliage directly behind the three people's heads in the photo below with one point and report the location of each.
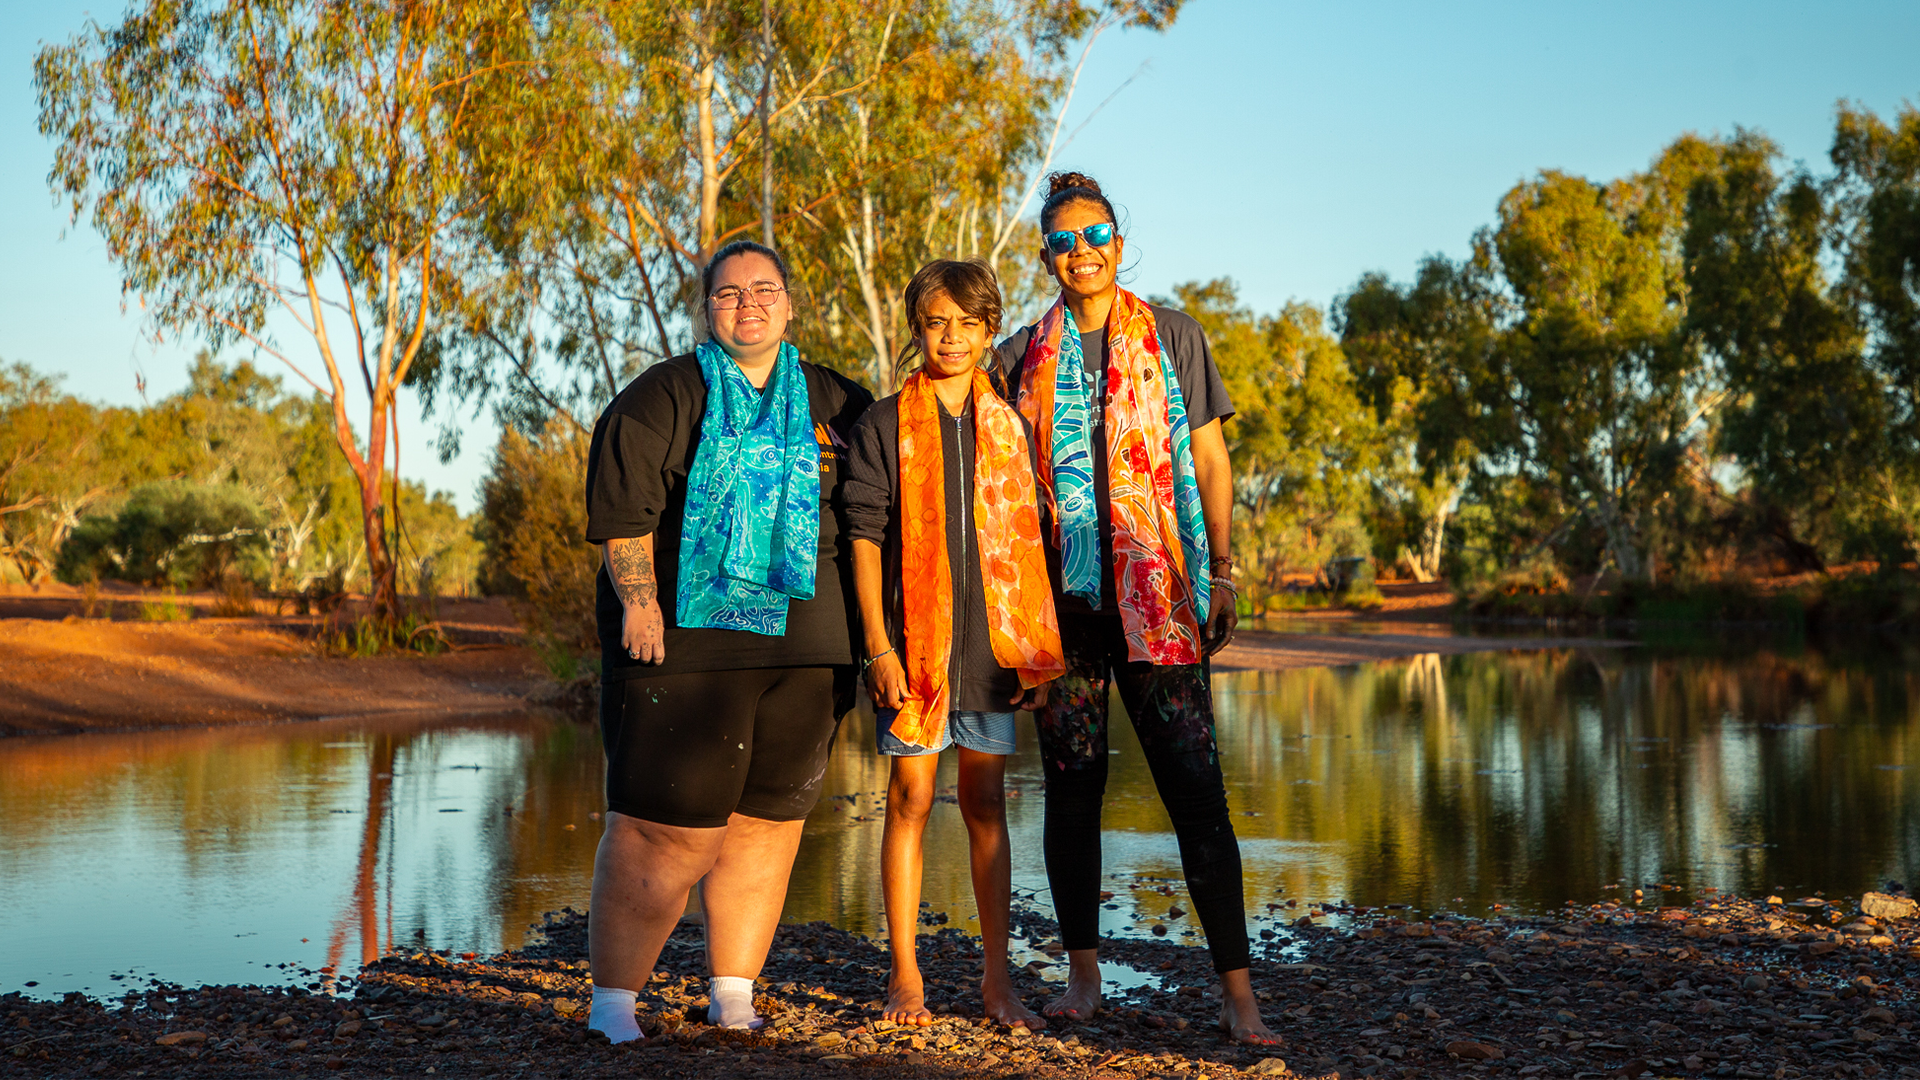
(861, 141)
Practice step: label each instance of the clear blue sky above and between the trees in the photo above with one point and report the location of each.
(1287, 147)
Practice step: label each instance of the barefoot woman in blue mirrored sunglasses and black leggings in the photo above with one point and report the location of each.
(1128, 406)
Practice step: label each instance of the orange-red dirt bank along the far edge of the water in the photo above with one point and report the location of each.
(72, 670)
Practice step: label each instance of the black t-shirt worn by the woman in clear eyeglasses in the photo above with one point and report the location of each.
(638, 466)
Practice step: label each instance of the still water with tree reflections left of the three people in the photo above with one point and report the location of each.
(252, 854)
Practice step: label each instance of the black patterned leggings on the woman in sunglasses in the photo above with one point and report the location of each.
(1172, 710)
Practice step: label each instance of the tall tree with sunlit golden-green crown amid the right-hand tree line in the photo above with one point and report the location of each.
(1595, 387)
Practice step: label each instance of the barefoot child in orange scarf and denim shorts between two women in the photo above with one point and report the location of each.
(957, 608)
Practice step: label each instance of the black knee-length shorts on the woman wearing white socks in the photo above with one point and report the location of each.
(696, 749)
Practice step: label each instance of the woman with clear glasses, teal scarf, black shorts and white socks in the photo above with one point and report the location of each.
(713, 487)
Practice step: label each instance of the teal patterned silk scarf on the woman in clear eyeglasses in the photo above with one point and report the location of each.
(752, 533)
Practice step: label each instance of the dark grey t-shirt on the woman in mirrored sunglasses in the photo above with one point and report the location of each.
(1203, 391)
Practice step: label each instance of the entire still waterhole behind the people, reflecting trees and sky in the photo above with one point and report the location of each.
(1524, 779)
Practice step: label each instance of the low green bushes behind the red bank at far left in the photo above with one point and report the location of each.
(151, 495)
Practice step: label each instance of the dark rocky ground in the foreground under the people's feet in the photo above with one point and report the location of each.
(1717, 989)
